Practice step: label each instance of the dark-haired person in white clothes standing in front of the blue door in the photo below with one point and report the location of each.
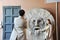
(18, 32)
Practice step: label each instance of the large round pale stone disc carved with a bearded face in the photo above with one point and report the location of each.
(37, 20)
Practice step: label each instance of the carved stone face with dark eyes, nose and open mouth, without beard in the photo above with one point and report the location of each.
(37, 24)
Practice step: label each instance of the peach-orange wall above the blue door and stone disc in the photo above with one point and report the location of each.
(27, 4)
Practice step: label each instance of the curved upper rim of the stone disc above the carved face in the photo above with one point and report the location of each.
(39, 12)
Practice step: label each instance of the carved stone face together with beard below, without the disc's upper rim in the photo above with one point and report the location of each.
(37, 26)
